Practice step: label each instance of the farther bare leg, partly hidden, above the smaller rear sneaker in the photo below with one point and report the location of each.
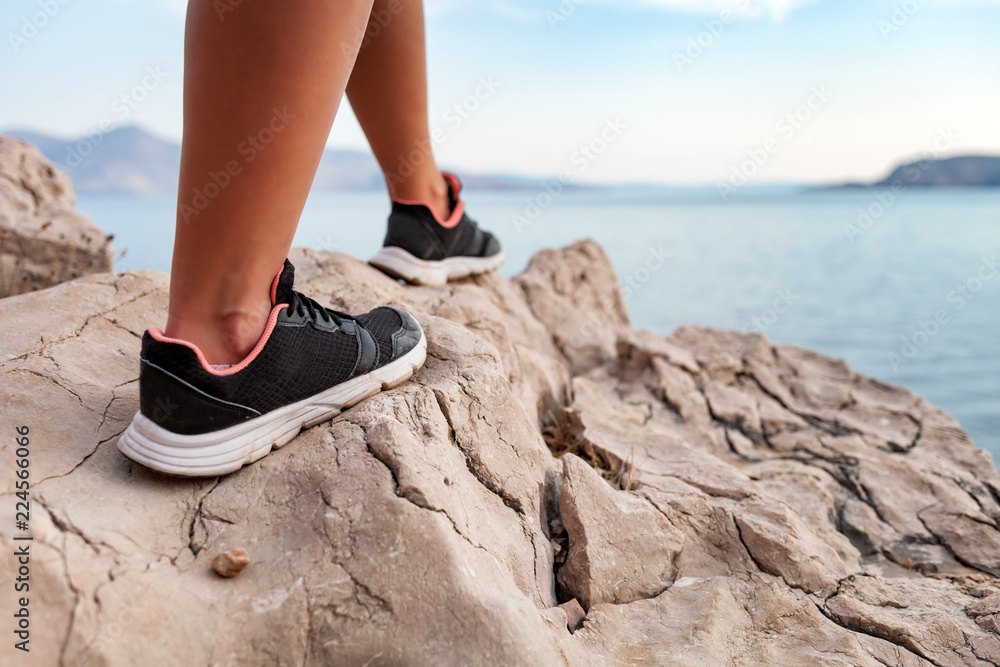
(388, 92)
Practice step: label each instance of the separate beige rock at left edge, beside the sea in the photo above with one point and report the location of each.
(44, 240)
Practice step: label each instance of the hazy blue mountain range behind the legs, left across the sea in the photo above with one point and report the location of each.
(129, 160)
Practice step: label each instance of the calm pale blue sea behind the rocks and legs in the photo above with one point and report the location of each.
(907, 290)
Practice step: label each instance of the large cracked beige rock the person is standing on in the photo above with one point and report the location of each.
(748, 505)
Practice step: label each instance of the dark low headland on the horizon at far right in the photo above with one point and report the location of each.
(965, 171)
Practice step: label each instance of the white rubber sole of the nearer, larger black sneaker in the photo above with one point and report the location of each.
(228, 450)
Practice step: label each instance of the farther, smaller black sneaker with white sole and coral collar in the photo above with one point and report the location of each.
(425, 250)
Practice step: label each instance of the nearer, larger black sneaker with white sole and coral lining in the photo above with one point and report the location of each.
(312, 362)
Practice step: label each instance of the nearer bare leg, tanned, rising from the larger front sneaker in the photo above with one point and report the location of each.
(262, 84)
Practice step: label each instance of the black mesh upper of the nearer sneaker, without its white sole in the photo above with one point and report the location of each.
(306, 350)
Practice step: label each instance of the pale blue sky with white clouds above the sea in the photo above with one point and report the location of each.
(655, 91)
